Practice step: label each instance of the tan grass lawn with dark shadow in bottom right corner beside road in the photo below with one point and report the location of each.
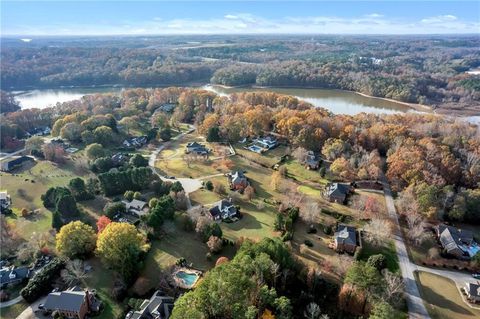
(442, 298)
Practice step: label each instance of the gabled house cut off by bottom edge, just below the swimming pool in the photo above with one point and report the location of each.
(158, 307)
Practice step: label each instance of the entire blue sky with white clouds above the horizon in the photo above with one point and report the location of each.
(65, 18)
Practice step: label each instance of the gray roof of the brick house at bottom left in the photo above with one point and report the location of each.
(69, 300)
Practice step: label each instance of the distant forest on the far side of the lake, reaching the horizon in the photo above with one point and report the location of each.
(426, 70)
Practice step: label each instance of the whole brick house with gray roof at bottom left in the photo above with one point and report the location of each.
(72, 303)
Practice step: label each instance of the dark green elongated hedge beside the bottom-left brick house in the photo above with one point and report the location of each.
(41, 283)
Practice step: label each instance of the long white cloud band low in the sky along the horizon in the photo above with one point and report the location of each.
(246, 23)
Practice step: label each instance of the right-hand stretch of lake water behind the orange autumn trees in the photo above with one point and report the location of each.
(336, 101)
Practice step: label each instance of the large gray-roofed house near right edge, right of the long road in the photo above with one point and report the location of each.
(457, 242)
